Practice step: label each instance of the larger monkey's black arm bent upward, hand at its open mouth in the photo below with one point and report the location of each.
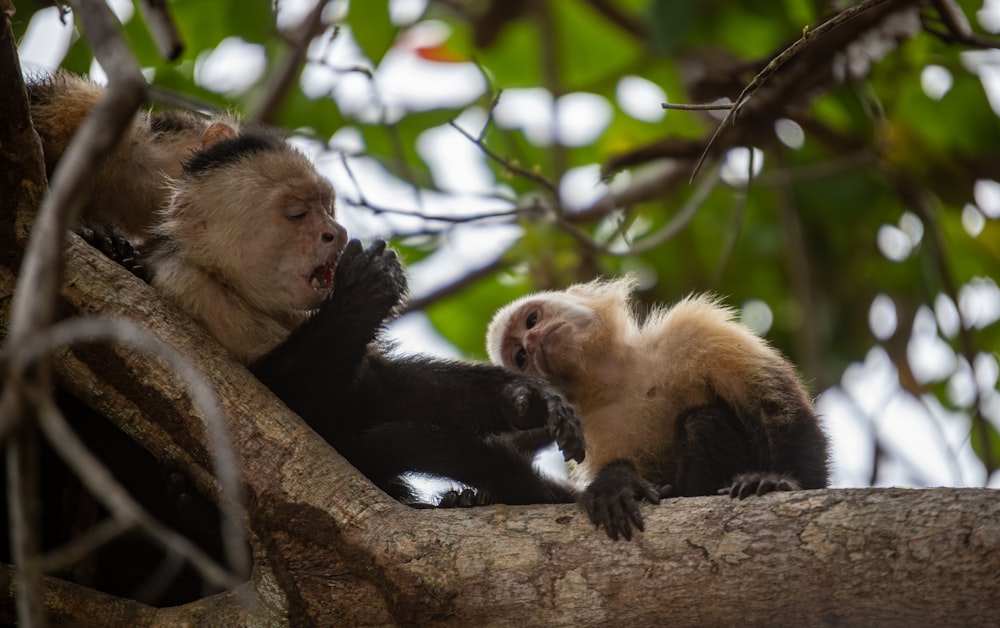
(314, 369)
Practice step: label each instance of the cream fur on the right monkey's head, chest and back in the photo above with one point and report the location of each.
(629, 381)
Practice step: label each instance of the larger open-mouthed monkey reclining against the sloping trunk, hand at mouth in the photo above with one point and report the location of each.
(248, 247)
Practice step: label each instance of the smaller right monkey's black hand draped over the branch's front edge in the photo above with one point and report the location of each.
(612, 499)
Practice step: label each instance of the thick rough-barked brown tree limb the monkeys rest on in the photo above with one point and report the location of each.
(332, 550)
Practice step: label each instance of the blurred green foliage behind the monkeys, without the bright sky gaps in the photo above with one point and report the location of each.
(802, 237)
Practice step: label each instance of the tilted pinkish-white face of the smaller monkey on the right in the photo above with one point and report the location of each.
(545, 337)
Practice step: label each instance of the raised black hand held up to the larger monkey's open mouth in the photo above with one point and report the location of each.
(368, 283)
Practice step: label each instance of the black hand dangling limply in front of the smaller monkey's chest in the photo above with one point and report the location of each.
(536, 403)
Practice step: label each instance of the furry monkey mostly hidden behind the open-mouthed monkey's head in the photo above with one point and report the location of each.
(133, 183)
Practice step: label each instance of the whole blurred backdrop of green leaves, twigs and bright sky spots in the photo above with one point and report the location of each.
(849, 213)
